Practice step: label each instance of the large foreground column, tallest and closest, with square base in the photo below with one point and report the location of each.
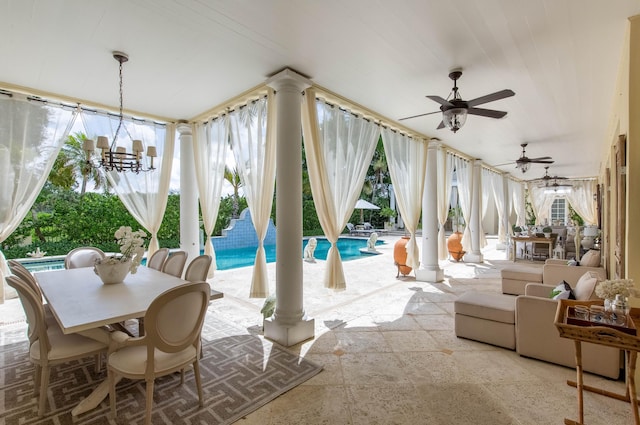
(289, 325)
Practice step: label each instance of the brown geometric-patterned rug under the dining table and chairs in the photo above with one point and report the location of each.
(240, 373)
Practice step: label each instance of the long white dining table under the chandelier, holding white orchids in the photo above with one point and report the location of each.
(80, 301)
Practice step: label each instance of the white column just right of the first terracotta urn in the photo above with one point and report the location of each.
(430, 270)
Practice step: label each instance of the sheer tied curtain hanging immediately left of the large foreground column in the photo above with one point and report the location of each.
(251, 128)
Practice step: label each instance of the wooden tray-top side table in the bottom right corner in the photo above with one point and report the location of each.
(622, 337)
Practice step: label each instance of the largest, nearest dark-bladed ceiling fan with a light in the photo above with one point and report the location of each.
(454, 109)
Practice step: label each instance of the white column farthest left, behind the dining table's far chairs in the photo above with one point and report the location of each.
(189, 238)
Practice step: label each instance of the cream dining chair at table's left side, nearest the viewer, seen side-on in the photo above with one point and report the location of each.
(48, 346)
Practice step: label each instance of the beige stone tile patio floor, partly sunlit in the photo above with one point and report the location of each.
(391, 356)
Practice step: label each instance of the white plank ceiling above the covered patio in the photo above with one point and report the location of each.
(561, 58)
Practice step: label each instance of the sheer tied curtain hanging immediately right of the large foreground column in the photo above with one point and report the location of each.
(339, 147)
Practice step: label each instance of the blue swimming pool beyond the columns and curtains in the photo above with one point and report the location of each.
(238, 257)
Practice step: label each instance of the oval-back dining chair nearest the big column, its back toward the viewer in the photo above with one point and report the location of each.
(168, 345)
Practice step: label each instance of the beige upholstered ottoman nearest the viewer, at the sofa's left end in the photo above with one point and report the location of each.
(486, 317)
